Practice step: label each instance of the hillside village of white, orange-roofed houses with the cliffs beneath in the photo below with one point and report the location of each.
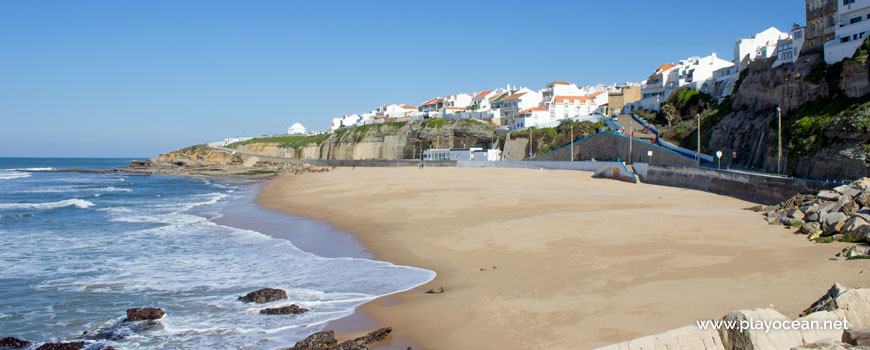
(691, 106)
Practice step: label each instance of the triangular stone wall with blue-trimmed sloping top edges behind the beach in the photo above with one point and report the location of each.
(609, 146)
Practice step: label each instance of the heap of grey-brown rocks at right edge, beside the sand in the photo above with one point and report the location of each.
(842, 215)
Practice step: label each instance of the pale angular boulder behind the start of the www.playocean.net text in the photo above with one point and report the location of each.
(740, 339)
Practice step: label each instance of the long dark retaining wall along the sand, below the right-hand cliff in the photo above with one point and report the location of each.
(751, 187)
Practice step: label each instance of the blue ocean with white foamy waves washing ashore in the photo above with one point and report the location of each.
(79, 249)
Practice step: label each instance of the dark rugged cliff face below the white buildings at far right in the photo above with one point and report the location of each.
(751, 129)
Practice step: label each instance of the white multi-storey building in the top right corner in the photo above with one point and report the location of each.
(852, 27)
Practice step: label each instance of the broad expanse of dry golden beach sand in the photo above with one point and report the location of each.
(581, 262)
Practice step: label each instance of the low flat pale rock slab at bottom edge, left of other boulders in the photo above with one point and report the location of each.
(689, 337)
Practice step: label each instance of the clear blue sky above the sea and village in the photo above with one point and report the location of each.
(140, 78)
